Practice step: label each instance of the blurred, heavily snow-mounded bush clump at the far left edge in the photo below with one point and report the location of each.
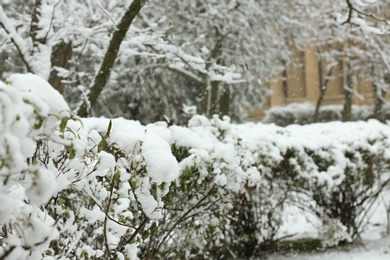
(28, 119)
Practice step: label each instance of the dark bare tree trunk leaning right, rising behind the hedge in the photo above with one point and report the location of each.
(110, 56)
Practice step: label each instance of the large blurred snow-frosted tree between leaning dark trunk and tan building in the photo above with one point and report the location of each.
(245, 42)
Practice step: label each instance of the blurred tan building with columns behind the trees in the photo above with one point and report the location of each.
(302, 82)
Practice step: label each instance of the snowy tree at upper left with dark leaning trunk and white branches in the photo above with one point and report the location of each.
(52, 35)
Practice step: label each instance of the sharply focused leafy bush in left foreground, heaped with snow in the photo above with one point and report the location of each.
(74, 188)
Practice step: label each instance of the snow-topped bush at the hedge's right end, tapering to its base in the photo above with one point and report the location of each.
(342, 167)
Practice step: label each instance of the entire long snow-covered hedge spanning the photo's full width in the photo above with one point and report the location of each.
(86, 188)
